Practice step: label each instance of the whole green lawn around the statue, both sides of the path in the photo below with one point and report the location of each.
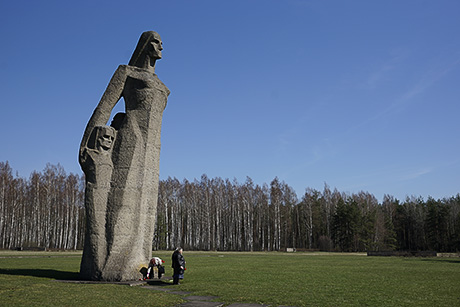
(296, 279)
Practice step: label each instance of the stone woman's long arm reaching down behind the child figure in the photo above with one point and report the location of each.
(110, 98)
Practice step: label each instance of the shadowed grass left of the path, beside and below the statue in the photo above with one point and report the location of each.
(32, 281)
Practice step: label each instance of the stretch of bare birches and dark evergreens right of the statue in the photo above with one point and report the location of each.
(217, 214)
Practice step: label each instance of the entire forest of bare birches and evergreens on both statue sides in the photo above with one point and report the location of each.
(47, 211)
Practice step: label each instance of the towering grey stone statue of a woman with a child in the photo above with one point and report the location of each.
(121, 166)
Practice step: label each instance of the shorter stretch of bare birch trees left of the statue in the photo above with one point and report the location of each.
(44, 211)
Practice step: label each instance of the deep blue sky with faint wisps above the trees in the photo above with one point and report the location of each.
(361, 95)
